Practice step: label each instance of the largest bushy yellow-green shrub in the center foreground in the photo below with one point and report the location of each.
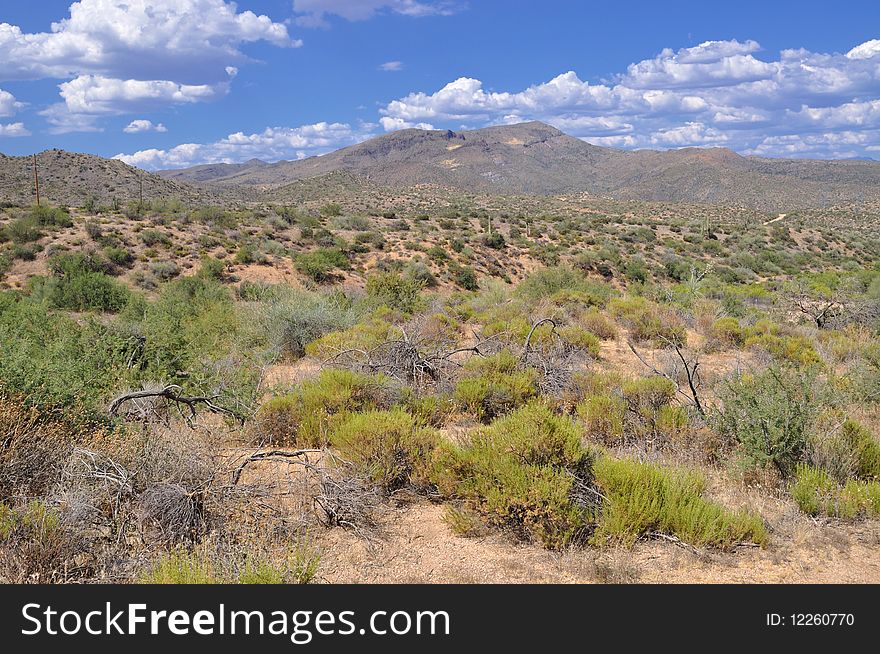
(527, 472)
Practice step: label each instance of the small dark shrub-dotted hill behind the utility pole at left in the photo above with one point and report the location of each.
(70, 179)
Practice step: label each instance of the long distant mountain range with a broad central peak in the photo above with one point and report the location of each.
(534, 158)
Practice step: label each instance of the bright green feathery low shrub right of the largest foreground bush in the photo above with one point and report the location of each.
(645, 498)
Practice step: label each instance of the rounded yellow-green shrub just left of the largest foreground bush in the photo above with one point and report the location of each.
(389, 447)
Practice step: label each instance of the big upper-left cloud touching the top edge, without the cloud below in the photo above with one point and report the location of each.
(187, 40)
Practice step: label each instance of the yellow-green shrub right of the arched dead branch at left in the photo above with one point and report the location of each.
(308, 416)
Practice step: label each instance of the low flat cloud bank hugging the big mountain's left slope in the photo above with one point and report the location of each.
(272, 144)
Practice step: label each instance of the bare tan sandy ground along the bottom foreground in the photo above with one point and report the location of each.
(416, 546)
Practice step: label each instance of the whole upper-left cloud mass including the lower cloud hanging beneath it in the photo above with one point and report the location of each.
(135, 55)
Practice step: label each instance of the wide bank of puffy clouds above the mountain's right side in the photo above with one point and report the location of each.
(715, 93)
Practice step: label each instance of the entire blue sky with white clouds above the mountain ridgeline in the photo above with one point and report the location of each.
(169, 83)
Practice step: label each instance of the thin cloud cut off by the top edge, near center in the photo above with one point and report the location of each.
(312, 13)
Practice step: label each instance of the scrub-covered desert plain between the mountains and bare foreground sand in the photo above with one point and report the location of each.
(197, 394)
